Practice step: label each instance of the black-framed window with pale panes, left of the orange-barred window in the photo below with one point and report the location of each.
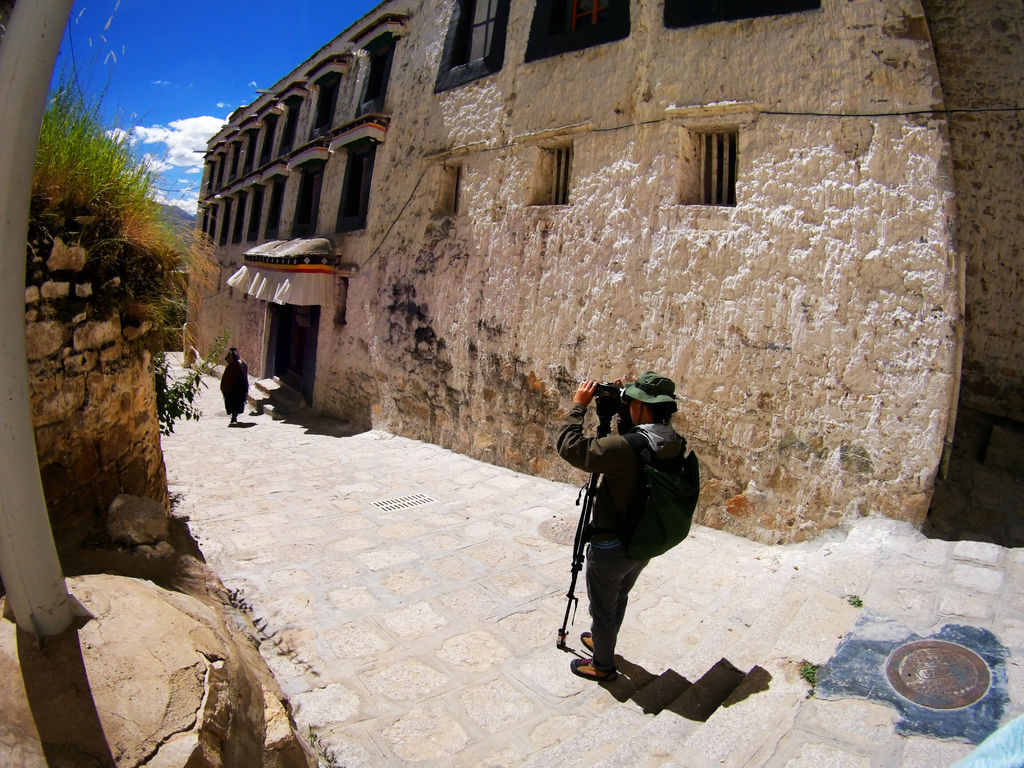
(475, 47)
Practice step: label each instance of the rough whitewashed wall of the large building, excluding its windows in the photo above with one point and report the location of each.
(813, 328)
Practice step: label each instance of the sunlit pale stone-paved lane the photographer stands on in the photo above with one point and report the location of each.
(426, 634)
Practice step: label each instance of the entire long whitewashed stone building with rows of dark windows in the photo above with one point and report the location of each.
(457, 209)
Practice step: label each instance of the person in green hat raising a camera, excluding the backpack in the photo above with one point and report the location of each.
(645, 408)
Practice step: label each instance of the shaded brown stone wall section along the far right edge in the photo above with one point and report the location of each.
(980, 54)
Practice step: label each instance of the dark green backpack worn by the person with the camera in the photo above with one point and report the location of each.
(667, 498)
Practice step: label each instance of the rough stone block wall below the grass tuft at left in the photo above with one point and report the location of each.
(94, 400)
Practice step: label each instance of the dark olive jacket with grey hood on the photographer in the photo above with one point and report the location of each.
(615, 459)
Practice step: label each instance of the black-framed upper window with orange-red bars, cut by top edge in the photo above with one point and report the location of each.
(564, 26)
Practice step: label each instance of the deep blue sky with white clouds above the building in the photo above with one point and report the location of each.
(174, 72)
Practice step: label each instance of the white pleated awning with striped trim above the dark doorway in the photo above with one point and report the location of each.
(295, 272)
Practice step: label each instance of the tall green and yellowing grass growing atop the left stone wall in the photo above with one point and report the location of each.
(91, 190)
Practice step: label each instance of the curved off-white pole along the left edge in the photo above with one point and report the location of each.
(36, 591)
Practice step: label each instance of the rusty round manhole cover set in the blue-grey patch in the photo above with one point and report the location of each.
(938, 674)
